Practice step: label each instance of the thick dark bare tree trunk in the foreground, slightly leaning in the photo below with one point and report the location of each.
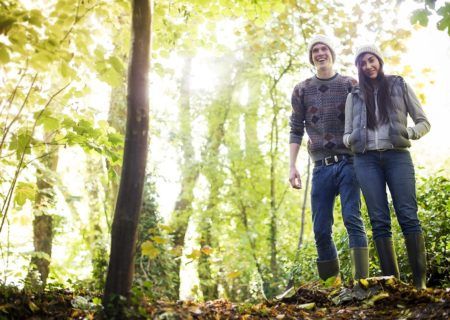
(129, 201)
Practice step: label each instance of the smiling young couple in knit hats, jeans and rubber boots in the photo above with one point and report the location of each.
(358, 138)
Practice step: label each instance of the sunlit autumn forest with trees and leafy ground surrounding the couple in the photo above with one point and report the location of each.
(145, 159)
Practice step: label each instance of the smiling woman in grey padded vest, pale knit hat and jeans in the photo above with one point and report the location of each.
(376, 131)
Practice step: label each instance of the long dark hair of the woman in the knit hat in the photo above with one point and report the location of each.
(384, 97)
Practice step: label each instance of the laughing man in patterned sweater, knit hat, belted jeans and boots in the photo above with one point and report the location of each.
(318, 104)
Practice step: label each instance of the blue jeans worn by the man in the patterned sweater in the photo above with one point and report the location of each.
(327, 183)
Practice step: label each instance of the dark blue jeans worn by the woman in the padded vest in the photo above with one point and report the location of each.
(394, 168)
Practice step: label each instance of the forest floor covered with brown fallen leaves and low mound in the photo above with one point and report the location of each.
(373, 298)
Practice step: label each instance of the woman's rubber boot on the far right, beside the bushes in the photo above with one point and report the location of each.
(415, 245)
